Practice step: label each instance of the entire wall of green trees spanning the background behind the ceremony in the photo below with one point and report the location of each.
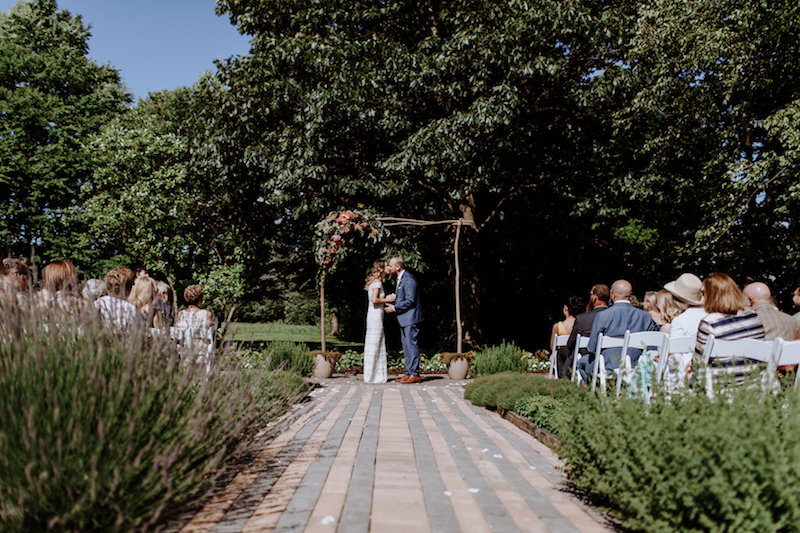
(580, 140)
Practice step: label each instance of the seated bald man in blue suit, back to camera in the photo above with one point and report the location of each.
(614, 322)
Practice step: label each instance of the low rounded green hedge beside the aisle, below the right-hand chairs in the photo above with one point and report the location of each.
(505, 389)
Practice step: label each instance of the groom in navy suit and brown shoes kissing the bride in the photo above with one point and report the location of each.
(409, 313)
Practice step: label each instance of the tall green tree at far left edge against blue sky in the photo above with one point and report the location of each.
(51, 97)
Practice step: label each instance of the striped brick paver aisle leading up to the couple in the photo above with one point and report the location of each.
(397, 458)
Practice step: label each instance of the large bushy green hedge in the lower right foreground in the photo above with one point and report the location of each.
(690, 465)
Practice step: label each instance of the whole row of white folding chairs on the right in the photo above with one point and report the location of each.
(777, 353)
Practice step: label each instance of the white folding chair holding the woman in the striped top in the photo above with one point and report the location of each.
(739, 357)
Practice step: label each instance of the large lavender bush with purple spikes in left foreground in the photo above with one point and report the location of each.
(101, 431)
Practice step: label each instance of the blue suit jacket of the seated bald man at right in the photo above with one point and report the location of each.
(613, 322)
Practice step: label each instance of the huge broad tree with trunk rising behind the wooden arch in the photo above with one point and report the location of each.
(434, 110)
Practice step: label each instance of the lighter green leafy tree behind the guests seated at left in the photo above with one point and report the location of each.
(147, 202)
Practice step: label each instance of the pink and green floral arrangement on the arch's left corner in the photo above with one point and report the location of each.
(334, 232)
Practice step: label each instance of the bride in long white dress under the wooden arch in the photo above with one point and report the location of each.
(375, 339)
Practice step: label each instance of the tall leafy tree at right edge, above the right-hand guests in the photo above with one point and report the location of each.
(704, 82)
